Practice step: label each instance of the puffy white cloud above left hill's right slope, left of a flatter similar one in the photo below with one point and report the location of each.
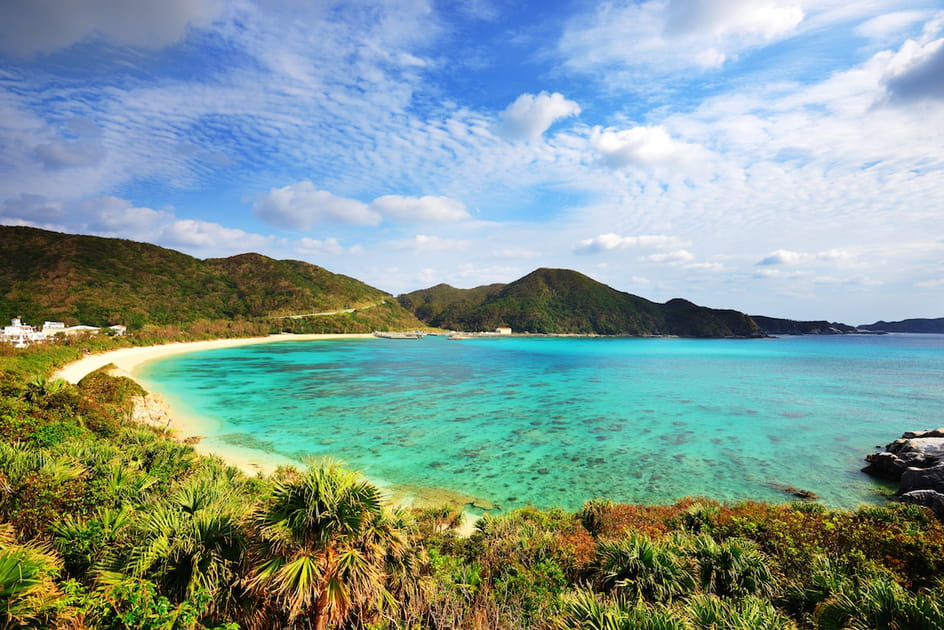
(300, 206)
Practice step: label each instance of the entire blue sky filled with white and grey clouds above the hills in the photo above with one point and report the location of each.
(779, 157)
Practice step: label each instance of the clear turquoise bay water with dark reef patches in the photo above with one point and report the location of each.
(556, 421)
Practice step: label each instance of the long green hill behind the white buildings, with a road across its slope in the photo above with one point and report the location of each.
(101, 281)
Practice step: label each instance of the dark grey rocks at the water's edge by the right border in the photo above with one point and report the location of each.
(916, 462)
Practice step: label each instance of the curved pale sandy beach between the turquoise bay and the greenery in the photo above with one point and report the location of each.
(185, 424)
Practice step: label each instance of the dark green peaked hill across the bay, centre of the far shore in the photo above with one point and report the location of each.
(564, 301)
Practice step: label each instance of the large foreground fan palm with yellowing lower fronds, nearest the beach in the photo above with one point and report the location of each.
(321, 546)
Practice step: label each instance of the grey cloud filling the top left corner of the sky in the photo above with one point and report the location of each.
(46, 25)
